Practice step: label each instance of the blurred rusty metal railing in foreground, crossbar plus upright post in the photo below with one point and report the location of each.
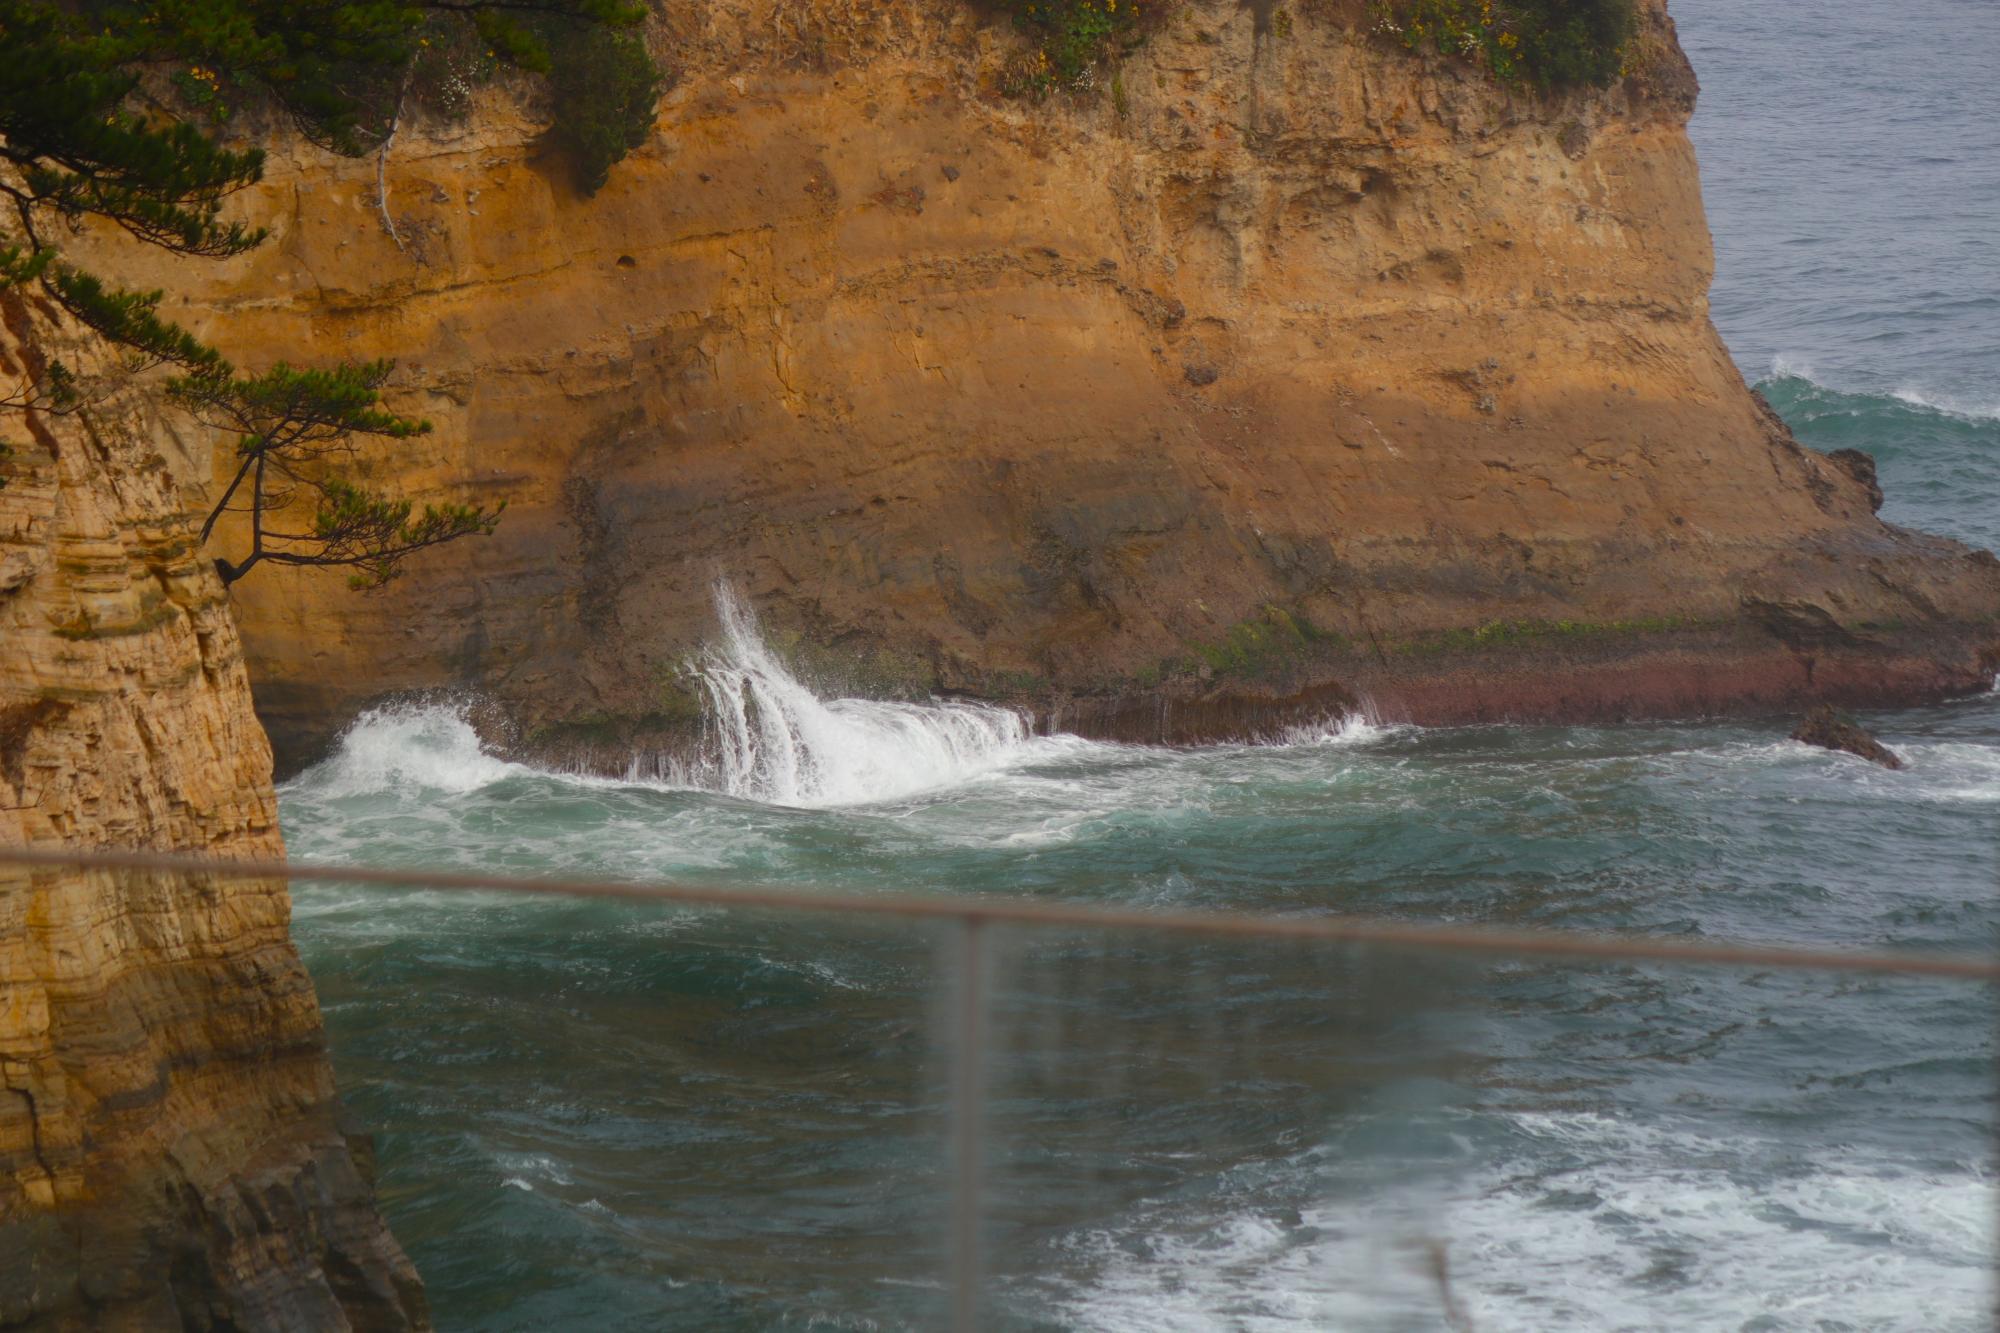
(973, 916)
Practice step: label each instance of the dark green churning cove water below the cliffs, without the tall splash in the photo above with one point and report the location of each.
(1201, 1136)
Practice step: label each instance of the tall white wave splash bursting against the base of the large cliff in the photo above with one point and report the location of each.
(773, 740)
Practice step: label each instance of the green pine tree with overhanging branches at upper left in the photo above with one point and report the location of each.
(119, 111)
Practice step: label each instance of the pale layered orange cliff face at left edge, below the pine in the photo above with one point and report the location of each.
(171, 1150)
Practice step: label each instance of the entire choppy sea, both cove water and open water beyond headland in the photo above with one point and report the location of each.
(599, 1116)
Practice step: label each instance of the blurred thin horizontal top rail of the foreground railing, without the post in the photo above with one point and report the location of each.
(1329, 930)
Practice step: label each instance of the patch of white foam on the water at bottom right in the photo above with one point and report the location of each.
(1639, 1228)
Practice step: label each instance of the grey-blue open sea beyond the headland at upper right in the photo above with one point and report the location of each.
(1853, 183)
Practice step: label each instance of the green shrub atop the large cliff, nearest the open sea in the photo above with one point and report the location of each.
(1551, 45)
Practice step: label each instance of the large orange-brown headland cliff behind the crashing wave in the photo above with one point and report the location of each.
(1279, 373)
